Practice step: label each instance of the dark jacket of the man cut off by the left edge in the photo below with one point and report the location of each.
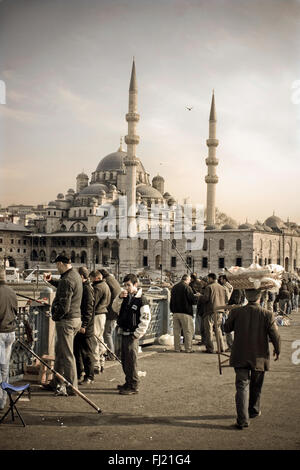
(8, 308)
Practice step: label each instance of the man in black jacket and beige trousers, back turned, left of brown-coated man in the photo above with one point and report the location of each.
(181, 305)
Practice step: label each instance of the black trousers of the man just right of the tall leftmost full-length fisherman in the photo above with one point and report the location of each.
(84, 350)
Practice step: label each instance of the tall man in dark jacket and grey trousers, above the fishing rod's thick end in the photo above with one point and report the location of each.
(67, 316)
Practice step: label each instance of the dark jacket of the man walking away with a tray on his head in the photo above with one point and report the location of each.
(252, 326)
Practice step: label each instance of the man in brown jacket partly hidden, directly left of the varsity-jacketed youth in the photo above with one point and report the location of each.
(111, 316)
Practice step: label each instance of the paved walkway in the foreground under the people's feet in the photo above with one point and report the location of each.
(184, 403)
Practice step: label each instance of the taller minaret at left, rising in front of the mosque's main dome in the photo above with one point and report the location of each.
(132, 140)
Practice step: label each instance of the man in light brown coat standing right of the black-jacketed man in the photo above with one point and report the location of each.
(213, 297)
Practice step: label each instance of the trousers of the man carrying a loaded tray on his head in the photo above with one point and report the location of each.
(247, 403)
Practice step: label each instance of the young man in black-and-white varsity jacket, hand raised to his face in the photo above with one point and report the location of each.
(133, 320)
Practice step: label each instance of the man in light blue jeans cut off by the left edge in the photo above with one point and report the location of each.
(8, 312)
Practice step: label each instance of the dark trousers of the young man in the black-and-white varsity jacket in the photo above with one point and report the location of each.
(129, 354)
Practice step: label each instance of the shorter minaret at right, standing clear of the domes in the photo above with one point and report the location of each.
(211, 179)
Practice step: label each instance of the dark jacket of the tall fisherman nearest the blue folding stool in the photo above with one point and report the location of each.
(66, 304)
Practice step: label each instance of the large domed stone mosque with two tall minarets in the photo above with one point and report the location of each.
(71, 224)
